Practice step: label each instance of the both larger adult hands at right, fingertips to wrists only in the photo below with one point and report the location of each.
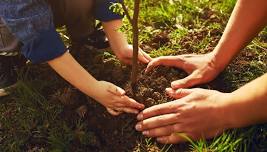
(196, 113)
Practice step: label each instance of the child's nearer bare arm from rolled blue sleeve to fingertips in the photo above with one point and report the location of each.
(109, 95)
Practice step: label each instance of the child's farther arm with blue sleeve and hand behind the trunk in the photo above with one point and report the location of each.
(112, 22)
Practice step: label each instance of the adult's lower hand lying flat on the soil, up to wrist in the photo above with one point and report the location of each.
(198, 114)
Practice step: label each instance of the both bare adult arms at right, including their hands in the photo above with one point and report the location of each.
(201, 113)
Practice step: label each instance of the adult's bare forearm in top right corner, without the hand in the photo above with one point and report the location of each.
(247, 19)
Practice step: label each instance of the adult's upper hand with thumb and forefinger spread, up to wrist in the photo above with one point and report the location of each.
(201, 68)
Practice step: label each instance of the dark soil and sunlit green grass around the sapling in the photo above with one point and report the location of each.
(46, 114)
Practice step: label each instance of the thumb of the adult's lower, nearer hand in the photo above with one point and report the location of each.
(179, 93)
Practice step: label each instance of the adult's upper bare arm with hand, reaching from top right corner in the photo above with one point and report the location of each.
(242, 27)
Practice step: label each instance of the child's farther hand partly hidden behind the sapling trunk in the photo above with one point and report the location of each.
(125, 55)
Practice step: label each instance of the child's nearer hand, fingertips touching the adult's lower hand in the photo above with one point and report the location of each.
(115, 100)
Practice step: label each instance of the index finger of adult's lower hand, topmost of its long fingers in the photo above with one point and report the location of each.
(165, 108)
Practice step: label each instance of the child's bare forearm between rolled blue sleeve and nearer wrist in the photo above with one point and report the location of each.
(68, 68)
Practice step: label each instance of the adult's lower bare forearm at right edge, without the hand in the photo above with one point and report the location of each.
(248, 105)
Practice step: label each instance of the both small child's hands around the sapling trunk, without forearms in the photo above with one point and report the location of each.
(112, 96)
